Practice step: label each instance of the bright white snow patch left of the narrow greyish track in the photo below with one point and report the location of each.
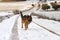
(6, 28)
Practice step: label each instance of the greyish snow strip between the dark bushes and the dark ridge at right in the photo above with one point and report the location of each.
(50, 14)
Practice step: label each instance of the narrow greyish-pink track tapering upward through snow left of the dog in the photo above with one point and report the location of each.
(14, 33)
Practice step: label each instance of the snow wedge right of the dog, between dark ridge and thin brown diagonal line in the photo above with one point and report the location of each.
(50, 24)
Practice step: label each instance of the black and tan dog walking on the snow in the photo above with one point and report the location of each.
(26, 20)
